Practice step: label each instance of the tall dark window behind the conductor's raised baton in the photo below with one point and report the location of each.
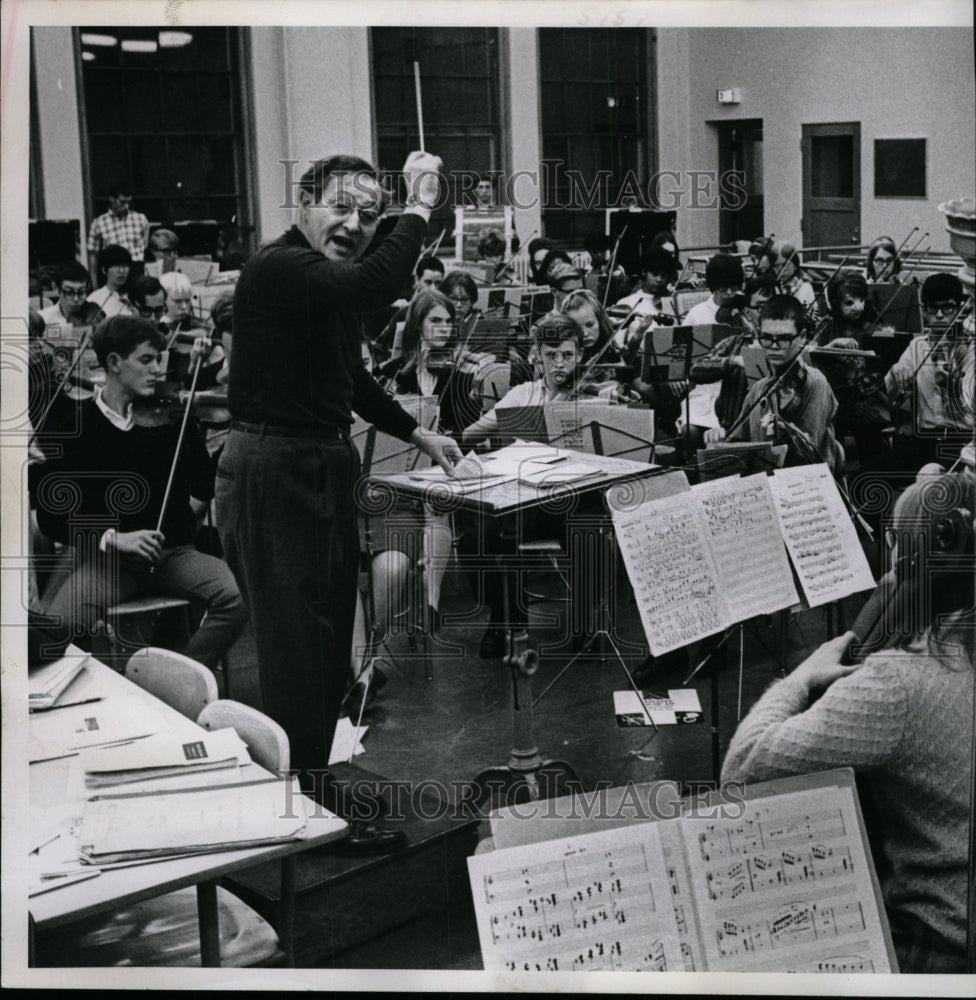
(459, 97)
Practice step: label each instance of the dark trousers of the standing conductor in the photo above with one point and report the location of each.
(287, 519)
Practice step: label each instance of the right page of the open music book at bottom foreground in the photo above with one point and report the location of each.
(786, 887)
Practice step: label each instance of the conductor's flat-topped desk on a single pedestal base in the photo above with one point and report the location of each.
(518, 780)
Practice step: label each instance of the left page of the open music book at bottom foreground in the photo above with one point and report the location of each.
(600, 901)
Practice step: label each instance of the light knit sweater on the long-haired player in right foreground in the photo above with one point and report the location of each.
(907, 720)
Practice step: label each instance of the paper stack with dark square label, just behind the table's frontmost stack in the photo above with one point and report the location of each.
(162, 756)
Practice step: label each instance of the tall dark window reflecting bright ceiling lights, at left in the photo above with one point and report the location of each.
(163, 116)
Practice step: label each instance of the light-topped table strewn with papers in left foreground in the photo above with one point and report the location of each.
(49, 782)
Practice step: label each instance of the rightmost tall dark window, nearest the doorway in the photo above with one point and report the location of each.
(594, 102)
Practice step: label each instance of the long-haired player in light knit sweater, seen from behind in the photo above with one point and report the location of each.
(903, 719)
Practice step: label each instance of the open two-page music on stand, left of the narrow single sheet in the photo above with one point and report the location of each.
(701, 561)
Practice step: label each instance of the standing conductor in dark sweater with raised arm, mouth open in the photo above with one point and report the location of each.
(286, 479)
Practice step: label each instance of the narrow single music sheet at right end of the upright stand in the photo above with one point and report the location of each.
(820, 535)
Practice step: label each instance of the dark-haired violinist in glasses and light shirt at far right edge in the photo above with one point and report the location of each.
(930, 383)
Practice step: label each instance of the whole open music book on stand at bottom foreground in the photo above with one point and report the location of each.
(781, 880)
